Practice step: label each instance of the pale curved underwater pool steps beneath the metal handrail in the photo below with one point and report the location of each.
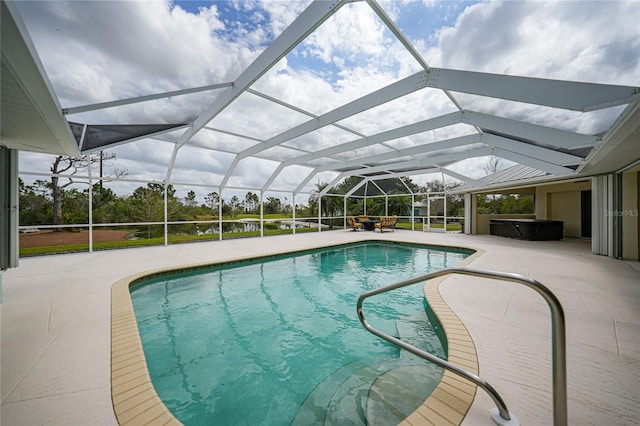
(375, 392)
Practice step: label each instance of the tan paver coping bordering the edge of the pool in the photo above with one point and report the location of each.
(136, 402)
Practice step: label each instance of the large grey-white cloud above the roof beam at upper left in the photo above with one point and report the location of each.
(100, 51)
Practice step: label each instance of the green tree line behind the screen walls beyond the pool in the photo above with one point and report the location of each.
(146, 204)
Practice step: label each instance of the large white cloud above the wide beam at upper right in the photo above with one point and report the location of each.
(570, 40)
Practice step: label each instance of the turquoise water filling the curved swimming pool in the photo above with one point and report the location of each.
(277, 341)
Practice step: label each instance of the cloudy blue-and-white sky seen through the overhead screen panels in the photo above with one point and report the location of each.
(98, 51)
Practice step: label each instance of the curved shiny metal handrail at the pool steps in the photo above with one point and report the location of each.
(502, 415)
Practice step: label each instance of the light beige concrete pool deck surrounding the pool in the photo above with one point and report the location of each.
(56, 321)
